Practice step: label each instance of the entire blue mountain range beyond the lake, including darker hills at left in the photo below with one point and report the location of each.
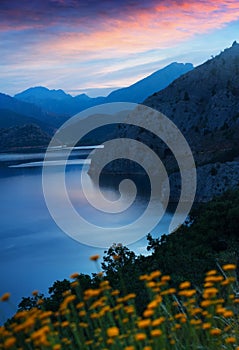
(48, 109)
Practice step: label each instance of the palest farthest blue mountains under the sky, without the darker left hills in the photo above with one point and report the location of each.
(60, 103)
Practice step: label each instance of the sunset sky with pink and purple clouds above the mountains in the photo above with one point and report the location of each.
(97, 46)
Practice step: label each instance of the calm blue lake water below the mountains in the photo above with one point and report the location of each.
(34, 252)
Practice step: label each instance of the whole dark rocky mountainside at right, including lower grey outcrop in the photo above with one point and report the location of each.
(204, 104)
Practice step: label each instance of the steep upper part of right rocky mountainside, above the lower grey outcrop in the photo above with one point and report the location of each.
(204, 104)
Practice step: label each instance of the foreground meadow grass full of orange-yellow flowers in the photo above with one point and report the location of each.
(186, 318)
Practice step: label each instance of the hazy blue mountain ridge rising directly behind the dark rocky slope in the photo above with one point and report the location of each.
(139, 91)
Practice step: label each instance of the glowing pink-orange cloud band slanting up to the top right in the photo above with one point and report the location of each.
(159, 28)
